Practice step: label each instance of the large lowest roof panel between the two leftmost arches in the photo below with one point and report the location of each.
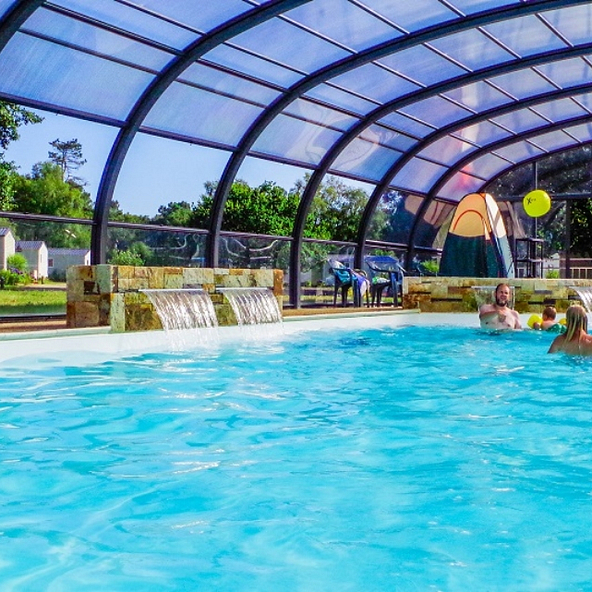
(37, 70)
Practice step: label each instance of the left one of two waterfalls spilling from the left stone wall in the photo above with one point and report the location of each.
(179, 309)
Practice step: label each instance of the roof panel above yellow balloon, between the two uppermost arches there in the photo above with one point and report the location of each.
(526, 35)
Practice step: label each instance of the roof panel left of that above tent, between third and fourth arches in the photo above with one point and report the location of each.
(422, 64)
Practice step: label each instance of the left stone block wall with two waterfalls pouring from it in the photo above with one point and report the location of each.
(109, 295)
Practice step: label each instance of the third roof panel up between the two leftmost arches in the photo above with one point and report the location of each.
(132, 20)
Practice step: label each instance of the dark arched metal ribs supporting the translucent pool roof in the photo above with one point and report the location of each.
(21, 10)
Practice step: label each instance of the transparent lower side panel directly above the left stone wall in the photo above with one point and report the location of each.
(158, 248)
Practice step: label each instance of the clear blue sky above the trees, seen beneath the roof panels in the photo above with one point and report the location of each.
(155, 171)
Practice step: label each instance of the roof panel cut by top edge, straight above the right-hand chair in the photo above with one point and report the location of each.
(412, 16)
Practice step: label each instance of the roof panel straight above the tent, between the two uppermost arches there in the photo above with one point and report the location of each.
(473, 49)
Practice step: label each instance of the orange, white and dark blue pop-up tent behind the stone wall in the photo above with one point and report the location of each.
(477, 243)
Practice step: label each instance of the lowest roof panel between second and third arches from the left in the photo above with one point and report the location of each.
(201, 115)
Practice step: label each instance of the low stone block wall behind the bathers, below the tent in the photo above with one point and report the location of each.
(455, 294)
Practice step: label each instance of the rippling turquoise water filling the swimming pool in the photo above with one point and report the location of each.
(410, 458)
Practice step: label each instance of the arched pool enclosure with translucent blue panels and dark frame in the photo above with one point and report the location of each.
(417, 103)
